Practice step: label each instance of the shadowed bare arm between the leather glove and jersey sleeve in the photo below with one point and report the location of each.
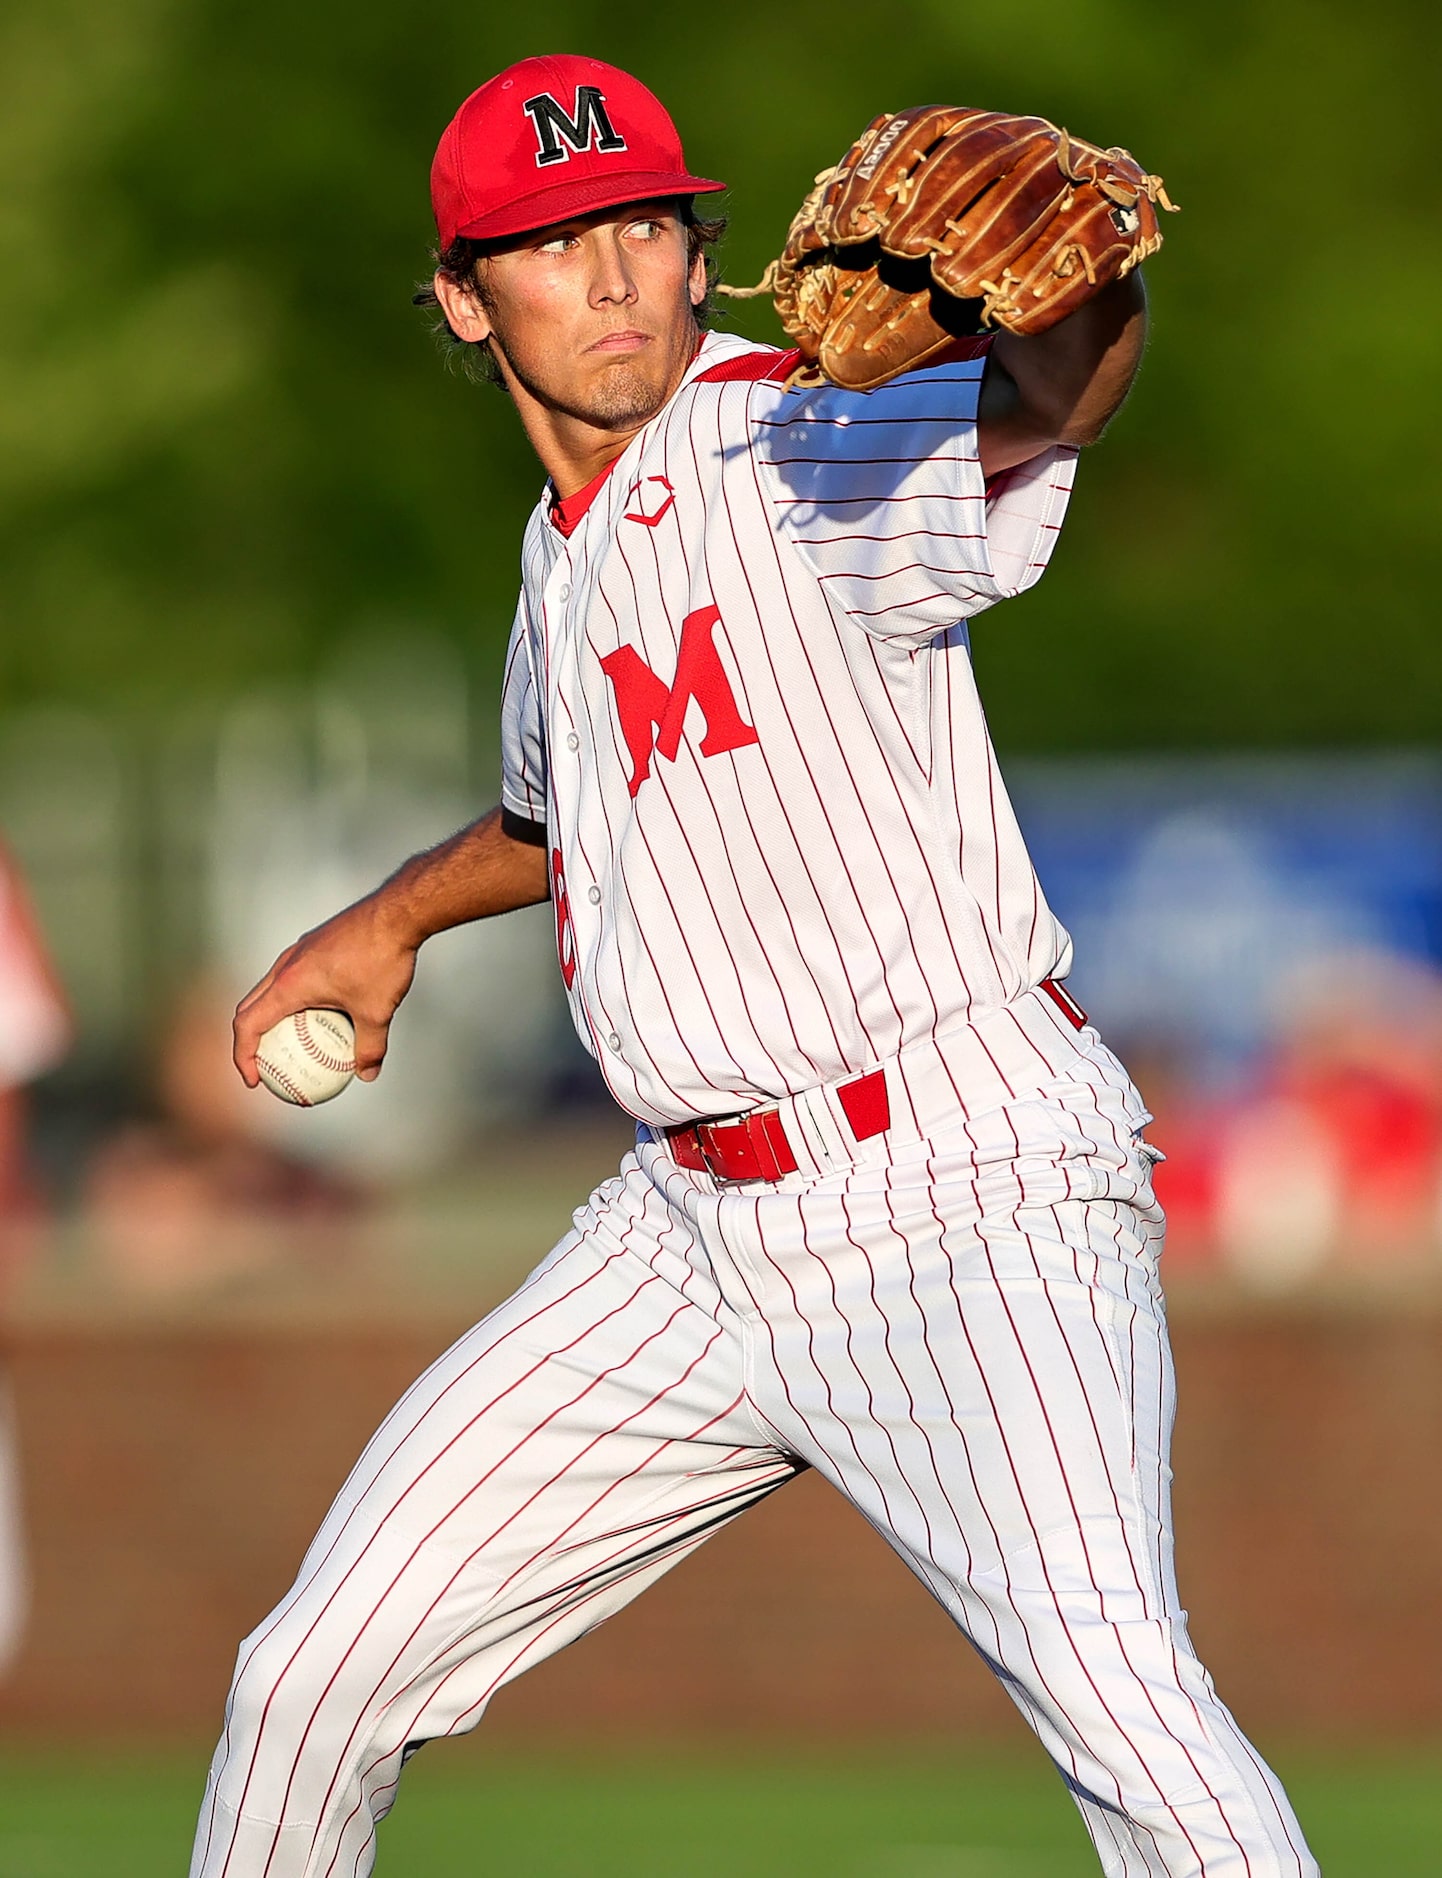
(1067, 384)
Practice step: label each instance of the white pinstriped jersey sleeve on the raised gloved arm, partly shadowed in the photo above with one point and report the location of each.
(883, 497)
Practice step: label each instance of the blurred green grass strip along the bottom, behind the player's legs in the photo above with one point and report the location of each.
(900, 1811)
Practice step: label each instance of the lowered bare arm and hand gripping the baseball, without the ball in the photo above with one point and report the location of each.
(363, 961)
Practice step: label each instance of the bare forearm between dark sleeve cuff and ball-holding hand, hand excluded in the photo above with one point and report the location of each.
(476, 874)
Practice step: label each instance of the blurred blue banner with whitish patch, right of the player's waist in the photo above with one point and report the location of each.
(1197, 891)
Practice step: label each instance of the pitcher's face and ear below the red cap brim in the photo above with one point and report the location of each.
(592, 318)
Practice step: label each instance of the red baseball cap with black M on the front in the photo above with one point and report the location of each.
(555, 138)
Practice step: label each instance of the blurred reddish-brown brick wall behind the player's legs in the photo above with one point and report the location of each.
(176, 1477)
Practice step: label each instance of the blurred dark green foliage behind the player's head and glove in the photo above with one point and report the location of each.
(226, 437)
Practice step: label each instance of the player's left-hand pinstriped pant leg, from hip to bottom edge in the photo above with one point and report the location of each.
(538, 1477)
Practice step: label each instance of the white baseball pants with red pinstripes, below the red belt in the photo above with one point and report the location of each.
(966, 1338)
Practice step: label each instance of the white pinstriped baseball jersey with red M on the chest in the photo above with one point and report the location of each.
(741, 698)
